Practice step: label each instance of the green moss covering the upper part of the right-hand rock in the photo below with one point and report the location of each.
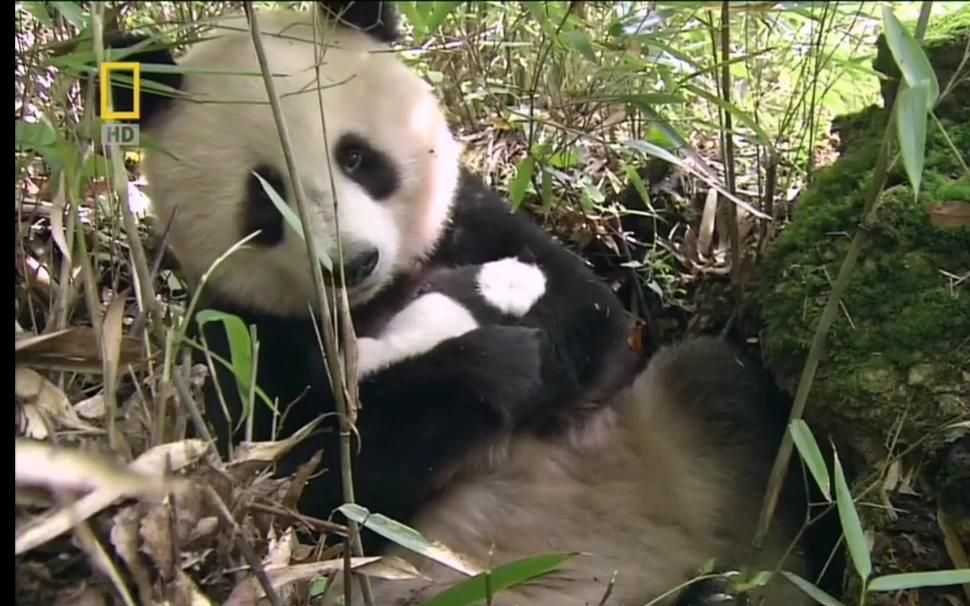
(901, 311)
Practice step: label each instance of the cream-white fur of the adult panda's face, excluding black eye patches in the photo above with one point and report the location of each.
(229, 129)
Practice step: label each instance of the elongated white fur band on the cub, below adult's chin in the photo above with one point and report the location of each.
(426, 322)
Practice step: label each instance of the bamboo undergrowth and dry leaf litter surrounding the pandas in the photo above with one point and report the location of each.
(669, 143)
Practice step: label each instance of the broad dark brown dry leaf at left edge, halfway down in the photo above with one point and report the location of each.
(74, 350)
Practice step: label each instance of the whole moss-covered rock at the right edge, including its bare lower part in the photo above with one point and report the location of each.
(896, 370)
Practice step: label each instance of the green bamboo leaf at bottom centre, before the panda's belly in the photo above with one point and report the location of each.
(478, 588)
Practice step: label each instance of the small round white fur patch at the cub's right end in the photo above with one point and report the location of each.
(511, 285)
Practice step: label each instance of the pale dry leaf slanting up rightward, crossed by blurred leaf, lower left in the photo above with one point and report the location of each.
(46, 527)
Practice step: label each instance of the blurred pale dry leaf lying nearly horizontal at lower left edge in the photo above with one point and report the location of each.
(41, 464)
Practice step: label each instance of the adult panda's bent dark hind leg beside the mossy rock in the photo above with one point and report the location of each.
(725, 413)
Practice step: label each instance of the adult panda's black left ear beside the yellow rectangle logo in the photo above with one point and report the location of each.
(142, 49)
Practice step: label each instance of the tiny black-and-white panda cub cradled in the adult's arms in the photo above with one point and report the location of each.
(450, 302)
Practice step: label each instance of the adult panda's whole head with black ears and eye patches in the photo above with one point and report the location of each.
(382, 146)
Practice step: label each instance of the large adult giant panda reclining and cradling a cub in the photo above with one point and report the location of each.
(538, 433)
